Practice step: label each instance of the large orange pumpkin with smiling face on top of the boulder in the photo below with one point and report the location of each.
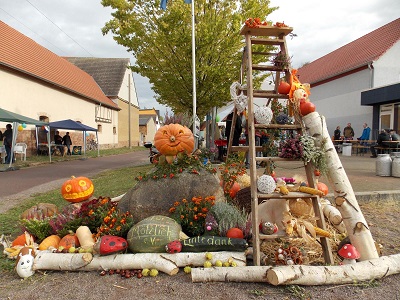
(174, 138)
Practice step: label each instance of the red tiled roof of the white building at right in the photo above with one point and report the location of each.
(352, 56)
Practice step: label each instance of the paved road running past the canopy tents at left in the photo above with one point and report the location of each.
(40, 178)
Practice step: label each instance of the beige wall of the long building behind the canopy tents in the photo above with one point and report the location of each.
(33, 99)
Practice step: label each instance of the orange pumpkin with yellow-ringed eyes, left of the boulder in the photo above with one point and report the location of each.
(77, 189)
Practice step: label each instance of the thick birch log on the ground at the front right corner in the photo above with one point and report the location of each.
(323, 275)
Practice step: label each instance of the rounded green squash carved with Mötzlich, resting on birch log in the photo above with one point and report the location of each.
(152, 234)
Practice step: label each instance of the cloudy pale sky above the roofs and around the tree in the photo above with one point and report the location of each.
(73, 28)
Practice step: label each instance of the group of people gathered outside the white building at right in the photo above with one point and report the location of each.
(384, 138)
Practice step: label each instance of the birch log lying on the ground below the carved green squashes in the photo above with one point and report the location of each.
(164, 262)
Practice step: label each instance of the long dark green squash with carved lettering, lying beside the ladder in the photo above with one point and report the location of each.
(213, 243)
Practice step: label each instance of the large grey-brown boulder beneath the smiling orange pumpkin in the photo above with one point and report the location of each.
(155, 197)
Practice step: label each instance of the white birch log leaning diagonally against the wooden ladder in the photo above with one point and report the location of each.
(345, 199)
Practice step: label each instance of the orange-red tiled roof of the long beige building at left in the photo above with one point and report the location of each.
(21, 53)
